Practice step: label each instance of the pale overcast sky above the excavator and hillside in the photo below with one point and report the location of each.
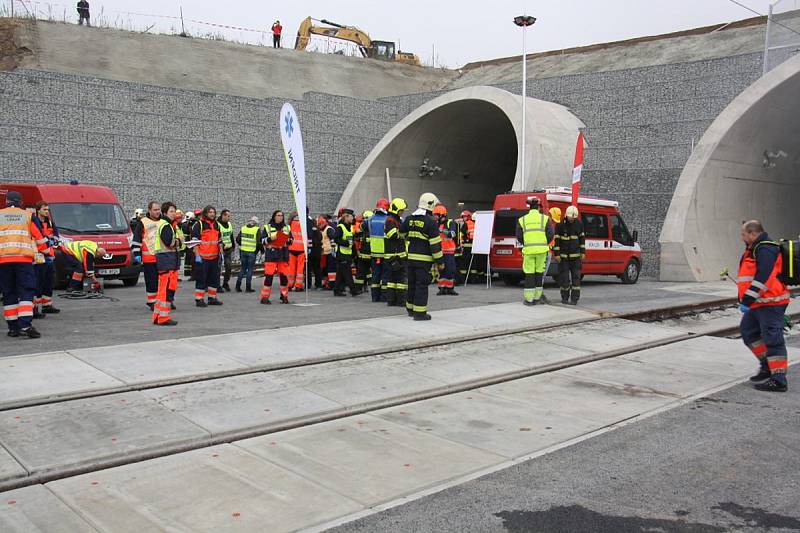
(461, 30)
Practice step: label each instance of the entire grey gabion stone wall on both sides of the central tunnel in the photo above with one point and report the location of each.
(151, 142)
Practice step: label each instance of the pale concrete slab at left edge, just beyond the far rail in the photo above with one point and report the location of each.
(49, 375)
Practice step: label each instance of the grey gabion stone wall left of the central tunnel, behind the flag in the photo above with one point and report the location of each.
(197, 148)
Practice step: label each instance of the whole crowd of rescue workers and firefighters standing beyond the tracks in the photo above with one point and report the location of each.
(392, 255)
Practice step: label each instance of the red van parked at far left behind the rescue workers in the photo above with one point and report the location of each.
(89, 213)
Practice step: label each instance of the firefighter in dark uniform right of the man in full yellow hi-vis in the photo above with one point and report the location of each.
(569, 251)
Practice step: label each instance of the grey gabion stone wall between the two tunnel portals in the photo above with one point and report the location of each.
(641, 126)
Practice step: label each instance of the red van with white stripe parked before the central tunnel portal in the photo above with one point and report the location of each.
(610, 248)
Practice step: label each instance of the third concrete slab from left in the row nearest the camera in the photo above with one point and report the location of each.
(368, 459)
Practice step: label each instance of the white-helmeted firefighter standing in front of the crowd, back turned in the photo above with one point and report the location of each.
(424, 249)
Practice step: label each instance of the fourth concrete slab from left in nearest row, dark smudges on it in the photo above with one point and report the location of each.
(510, 428)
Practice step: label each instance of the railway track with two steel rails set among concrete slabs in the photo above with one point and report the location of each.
(363, 362)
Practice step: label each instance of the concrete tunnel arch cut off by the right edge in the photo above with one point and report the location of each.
(746, 166)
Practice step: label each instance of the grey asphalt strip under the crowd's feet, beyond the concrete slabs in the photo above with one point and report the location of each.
(126, 320)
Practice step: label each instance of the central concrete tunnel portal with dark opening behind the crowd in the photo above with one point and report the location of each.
(463, 146)
